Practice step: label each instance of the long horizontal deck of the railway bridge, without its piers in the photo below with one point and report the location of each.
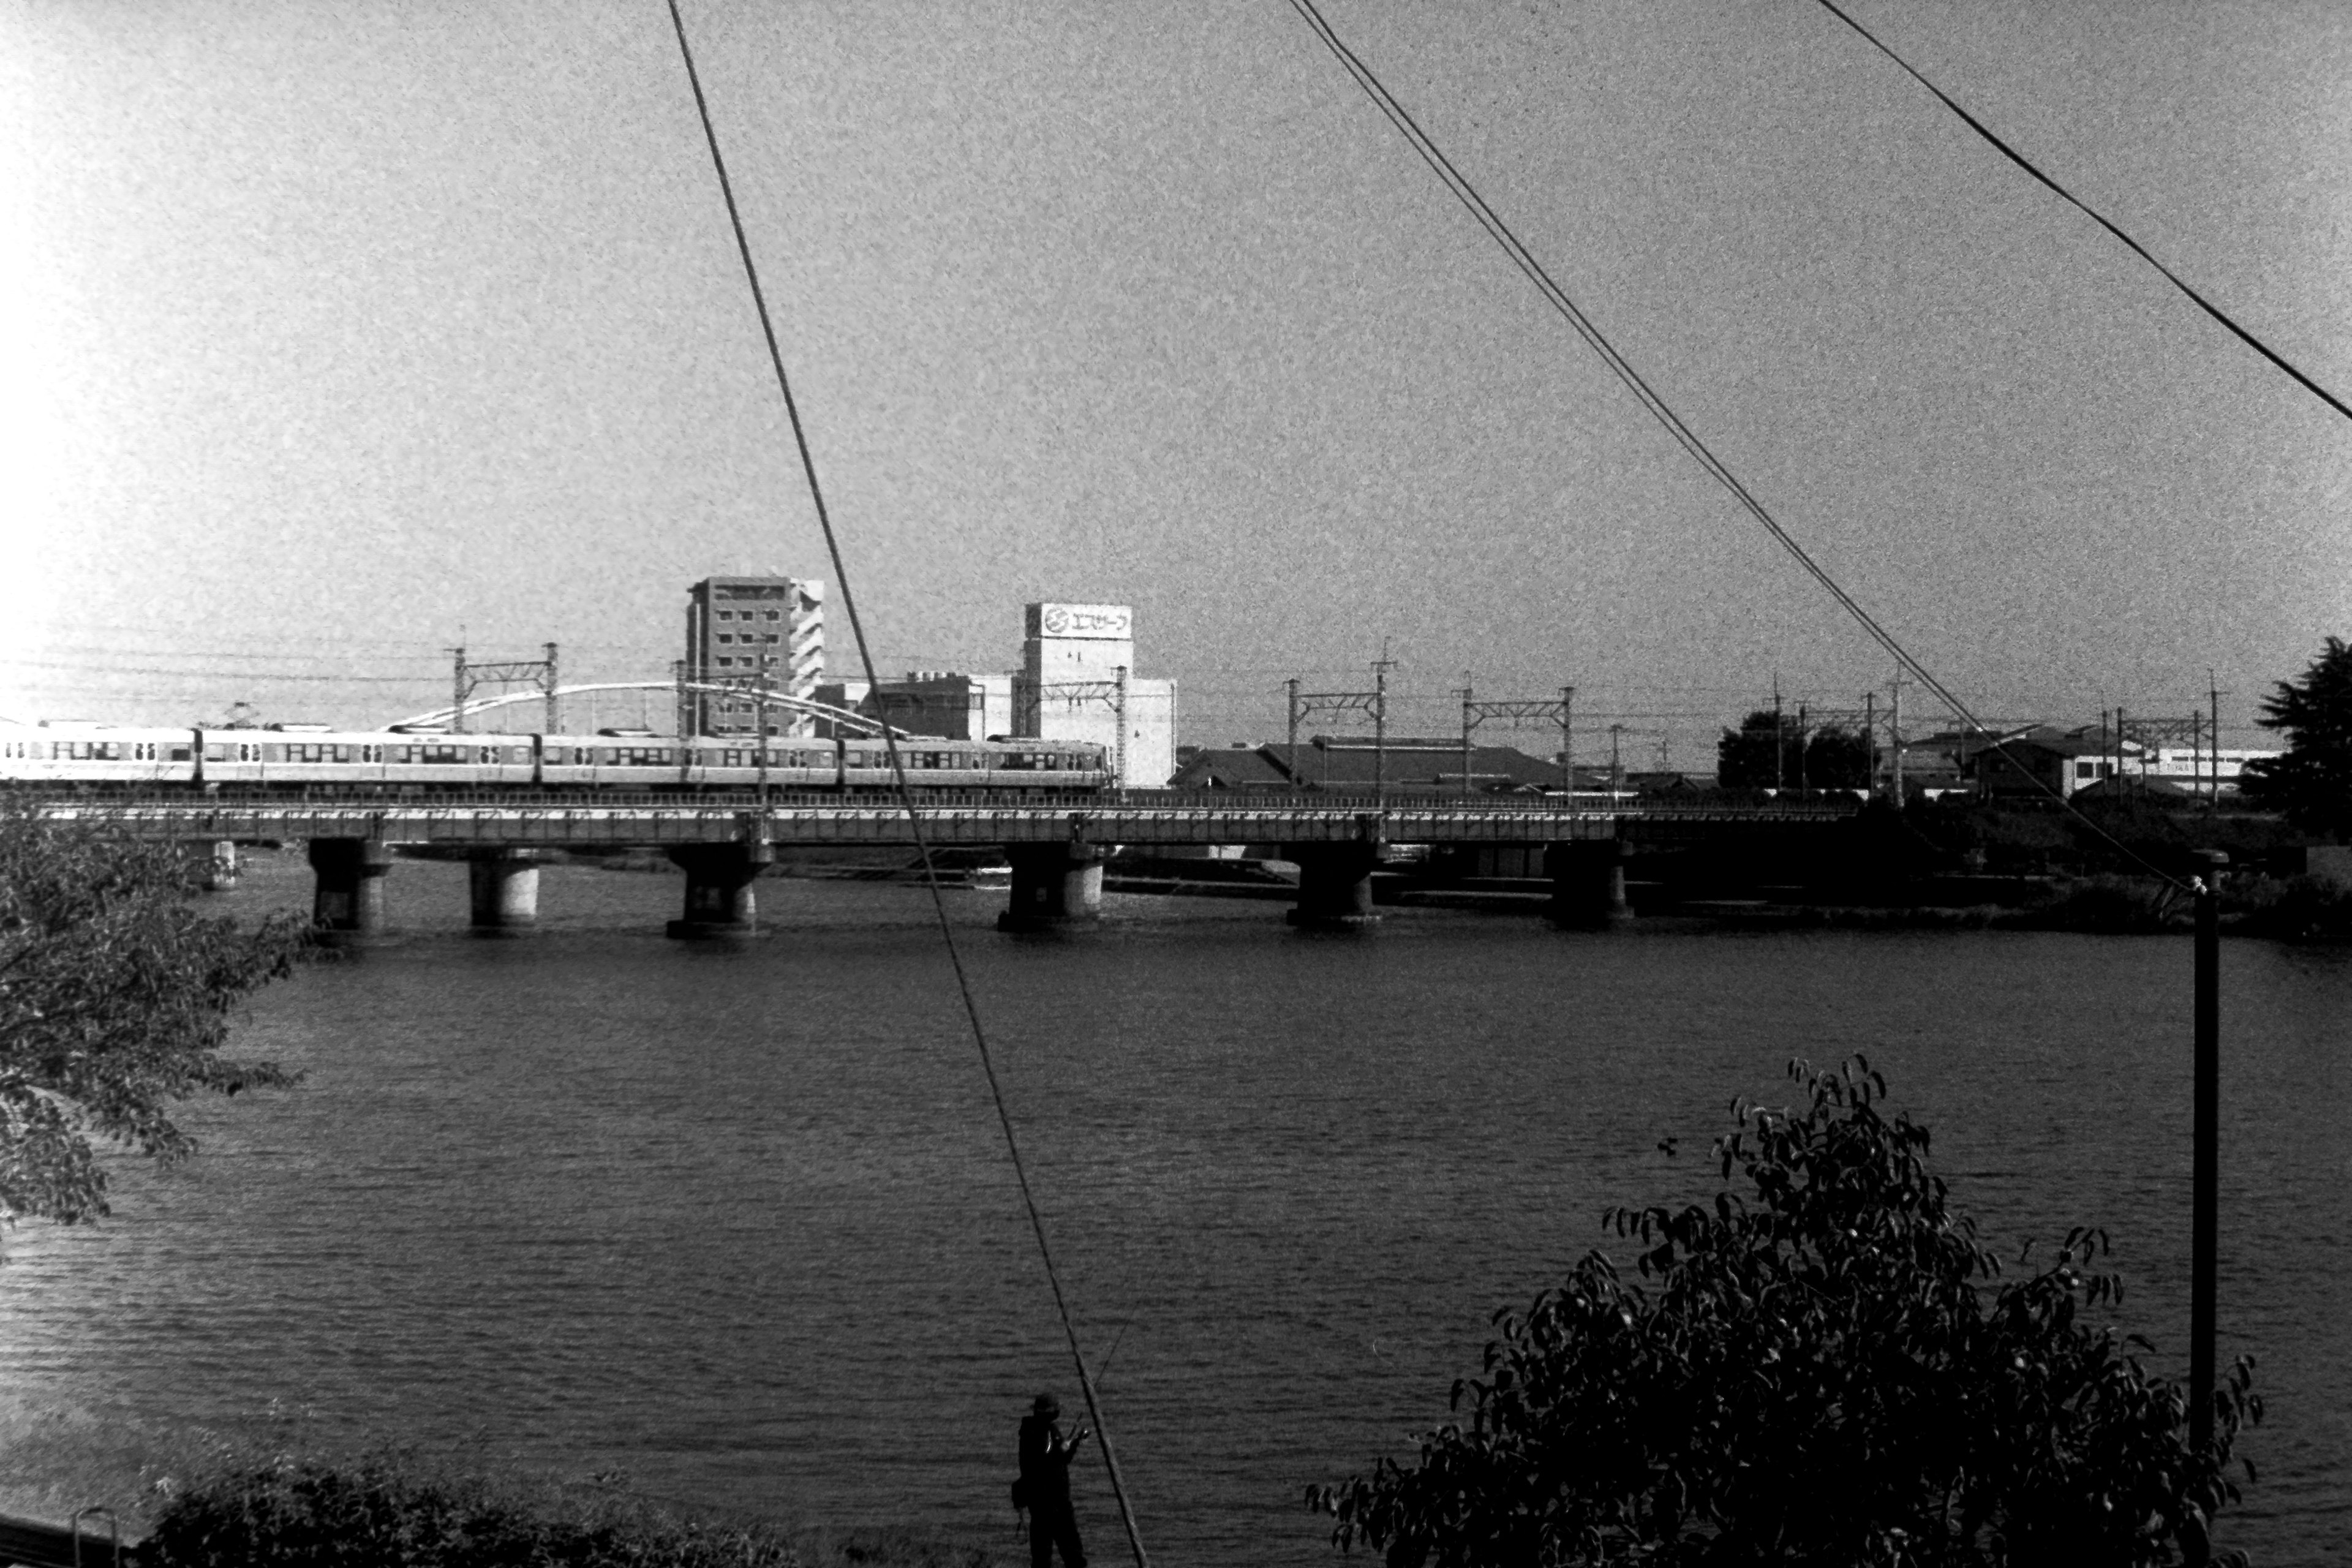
(1137, 817)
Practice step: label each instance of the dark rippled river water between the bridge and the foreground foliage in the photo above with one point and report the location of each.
(737, 1226)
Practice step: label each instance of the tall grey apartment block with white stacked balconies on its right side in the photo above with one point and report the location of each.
(754, 631)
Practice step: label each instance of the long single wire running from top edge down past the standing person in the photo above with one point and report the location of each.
(907, 796)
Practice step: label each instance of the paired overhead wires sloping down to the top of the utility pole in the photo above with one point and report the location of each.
(1657, 408)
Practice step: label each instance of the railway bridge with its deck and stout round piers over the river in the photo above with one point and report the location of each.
(1055, 850)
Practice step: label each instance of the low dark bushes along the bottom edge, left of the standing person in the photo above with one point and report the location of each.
(394, 1513)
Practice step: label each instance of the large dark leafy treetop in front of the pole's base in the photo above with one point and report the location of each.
(1817, 1374)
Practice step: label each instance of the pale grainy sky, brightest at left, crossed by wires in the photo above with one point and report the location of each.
(342, 333)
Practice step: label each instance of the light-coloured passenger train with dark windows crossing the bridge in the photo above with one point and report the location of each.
(319, 760)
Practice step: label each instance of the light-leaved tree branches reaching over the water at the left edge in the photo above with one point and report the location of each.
(114, 1003)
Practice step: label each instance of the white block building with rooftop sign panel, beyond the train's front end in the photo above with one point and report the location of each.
(1078, 683)
